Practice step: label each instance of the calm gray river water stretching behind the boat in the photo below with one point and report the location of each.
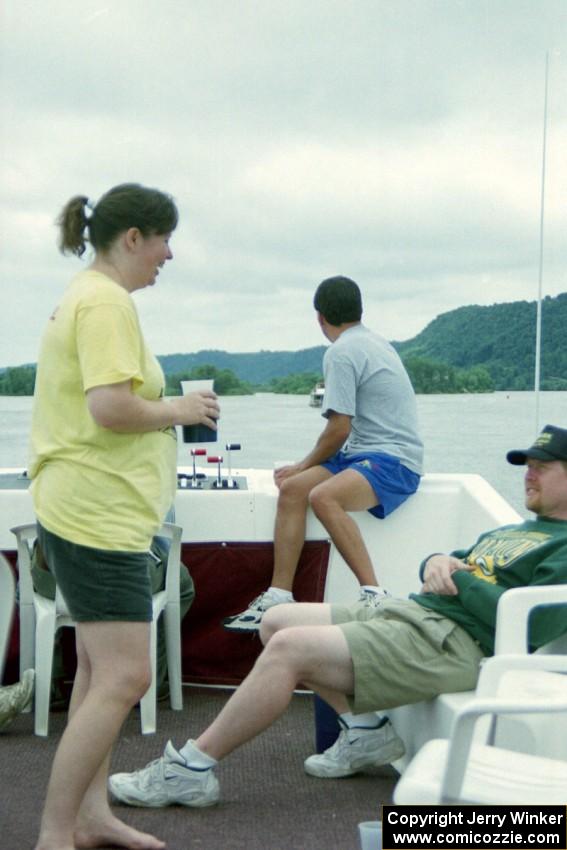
(462, 433)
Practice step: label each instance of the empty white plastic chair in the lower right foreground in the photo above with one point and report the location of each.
(464, 770)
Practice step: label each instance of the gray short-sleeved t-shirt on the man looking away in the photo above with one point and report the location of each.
(365, 379)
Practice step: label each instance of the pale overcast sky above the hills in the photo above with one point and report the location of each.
(395, 141)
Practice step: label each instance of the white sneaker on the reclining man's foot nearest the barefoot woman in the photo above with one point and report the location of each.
(166, 781)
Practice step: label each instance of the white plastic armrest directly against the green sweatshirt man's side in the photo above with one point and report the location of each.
(513, 612)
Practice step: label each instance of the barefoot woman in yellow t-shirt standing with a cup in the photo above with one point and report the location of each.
(103, 469)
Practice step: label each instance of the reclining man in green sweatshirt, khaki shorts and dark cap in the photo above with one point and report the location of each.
(362, 660)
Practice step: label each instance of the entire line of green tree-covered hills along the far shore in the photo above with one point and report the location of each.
(471, 349)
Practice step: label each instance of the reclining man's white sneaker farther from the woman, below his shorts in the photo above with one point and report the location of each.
(355, 750)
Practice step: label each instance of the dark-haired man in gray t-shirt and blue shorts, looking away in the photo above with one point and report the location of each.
(368, 456)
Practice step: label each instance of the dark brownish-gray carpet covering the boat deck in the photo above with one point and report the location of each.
(268, 802)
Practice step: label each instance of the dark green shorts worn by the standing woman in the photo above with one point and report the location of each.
(99, 584)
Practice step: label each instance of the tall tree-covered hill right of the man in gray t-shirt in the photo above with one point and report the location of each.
(502, 338)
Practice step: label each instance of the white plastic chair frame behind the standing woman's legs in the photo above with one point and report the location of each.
(40, 618)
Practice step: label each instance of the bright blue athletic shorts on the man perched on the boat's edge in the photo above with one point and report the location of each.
(391, 481)
